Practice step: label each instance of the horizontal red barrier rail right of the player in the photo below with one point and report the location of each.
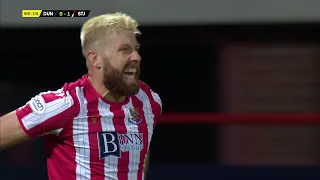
(255, 118)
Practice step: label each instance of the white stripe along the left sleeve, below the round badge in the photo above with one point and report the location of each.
(52, 109)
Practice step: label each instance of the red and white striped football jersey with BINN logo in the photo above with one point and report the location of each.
(88, 137)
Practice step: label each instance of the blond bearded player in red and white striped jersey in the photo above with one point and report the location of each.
(100, 126)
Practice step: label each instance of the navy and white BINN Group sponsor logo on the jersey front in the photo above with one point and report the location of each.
(113, 143)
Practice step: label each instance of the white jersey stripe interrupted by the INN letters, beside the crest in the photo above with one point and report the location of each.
(134, 156)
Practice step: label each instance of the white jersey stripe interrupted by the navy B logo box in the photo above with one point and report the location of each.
(110, 162)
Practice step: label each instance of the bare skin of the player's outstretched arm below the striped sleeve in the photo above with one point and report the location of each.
(11, 131)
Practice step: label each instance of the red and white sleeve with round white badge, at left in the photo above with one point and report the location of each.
(46, 112)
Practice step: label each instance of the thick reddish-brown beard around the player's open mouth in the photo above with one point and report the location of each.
(117, 82)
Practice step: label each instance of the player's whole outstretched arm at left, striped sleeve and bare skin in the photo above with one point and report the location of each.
(43, 114)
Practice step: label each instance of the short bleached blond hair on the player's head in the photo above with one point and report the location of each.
(105, 24)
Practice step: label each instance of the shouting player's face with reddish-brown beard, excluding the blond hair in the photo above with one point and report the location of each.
(120, 63)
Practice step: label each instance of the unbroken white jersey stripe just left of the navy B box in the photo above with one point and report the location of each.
(81, 139)
